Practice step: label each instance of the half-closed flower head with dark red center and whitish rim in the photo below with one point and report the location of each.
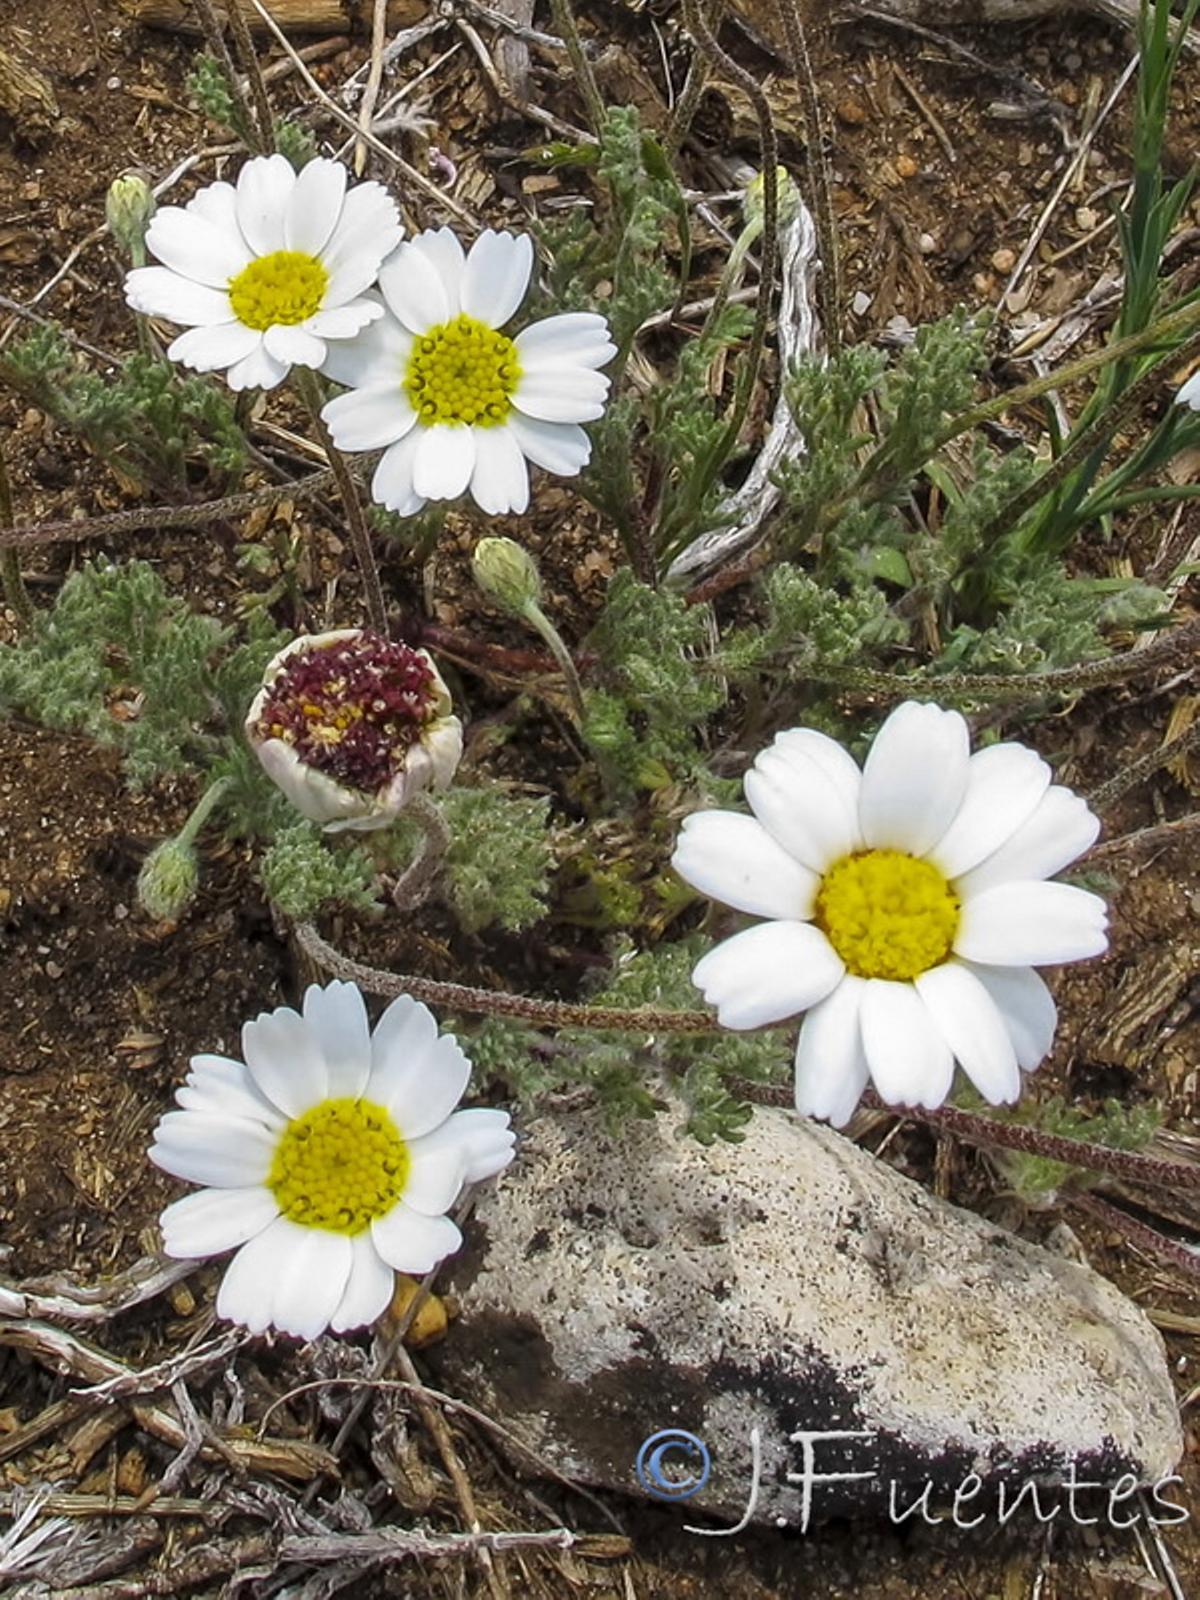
(351, 727)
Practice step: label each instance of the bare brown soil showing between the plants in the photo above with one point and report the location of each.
(103, 1009)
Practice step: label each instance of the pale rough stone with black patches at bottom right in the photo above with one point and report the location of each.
(791, 1282)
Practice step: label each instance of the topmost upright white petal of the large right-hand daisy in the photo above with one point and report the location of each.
(914, 778)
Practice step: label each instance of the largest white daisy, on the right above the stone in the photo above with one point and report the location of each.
(910, 905)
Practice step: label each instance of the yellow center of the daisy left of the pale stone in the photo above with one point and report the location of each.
(340, 1167)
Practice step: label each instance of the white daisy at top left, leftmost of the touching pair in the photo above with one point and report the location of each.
(270, 274)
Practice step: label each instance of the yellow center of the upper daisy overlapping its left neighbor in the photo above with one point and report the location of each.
(463, 372)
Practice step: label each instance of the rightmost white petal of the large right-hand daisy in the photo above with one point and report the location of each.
(1031, 926)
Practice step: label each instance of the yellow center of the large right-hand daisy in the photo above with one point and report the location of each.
(887, 914)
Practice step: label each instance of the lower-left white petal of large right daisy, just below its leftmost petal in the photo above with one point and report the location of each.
(769, 974)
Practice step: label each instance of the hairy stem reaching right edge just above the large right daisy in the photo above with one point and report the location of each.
(1180, 644)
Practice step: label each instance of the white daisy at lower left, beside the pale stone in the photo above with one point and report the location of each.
(329, 1161)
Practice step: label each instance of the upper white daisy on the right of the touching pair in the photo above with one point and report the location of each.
(458, 404)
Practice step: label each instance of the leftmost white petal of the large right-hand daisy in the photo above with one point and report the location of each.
(734, 860)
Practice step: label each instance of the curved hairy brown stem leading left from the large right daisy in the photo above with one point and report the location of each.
(497, 1002)
